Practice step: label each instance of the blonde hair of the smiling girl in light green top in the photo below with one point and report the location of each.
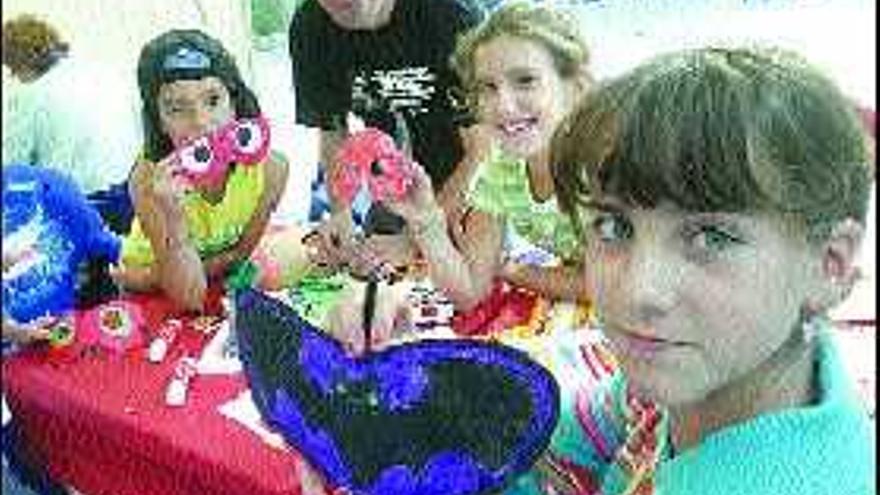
(551, 28)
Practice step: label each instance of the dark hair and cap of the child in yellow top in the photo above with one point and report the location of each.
(185, 54)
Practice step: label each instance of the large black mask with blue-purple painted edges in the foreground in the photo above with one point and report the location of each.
(441, 417)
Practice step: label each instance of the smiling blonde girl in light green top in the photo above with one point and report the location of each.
(524, 67)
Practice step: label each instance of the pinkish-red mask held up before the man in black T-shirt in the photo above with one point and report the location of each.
(370, 157)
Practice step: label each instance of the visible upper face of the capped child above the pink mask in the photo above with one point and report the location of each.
(191, 108)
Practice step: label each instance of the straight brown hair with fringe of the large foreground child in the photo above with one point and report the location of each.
(718, 129)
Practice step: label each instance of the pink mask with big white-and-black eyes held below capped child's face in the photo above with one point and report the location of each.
(205, 160)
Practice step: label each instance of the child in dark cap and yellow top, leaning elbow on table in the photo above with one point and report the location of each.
(184, 236)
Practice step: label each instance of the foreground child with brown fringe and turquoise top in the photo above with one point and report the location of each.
(722, 195)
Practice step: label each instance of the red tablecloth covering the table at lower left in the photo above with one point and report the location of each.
(101, 425)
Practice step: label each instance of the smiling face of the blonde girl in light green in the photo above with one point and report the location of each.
(520, 94)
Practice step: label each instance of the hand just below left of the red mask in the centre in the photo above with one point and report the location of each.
(330, 245)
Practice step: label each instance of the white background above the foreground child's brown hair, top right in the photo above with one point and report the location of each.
(837, 35)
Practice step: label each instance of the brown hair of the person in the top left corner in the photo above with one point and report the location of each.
(31, 44)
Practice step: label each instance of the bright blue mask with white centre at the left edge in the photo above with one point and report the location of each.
(49, 228)
